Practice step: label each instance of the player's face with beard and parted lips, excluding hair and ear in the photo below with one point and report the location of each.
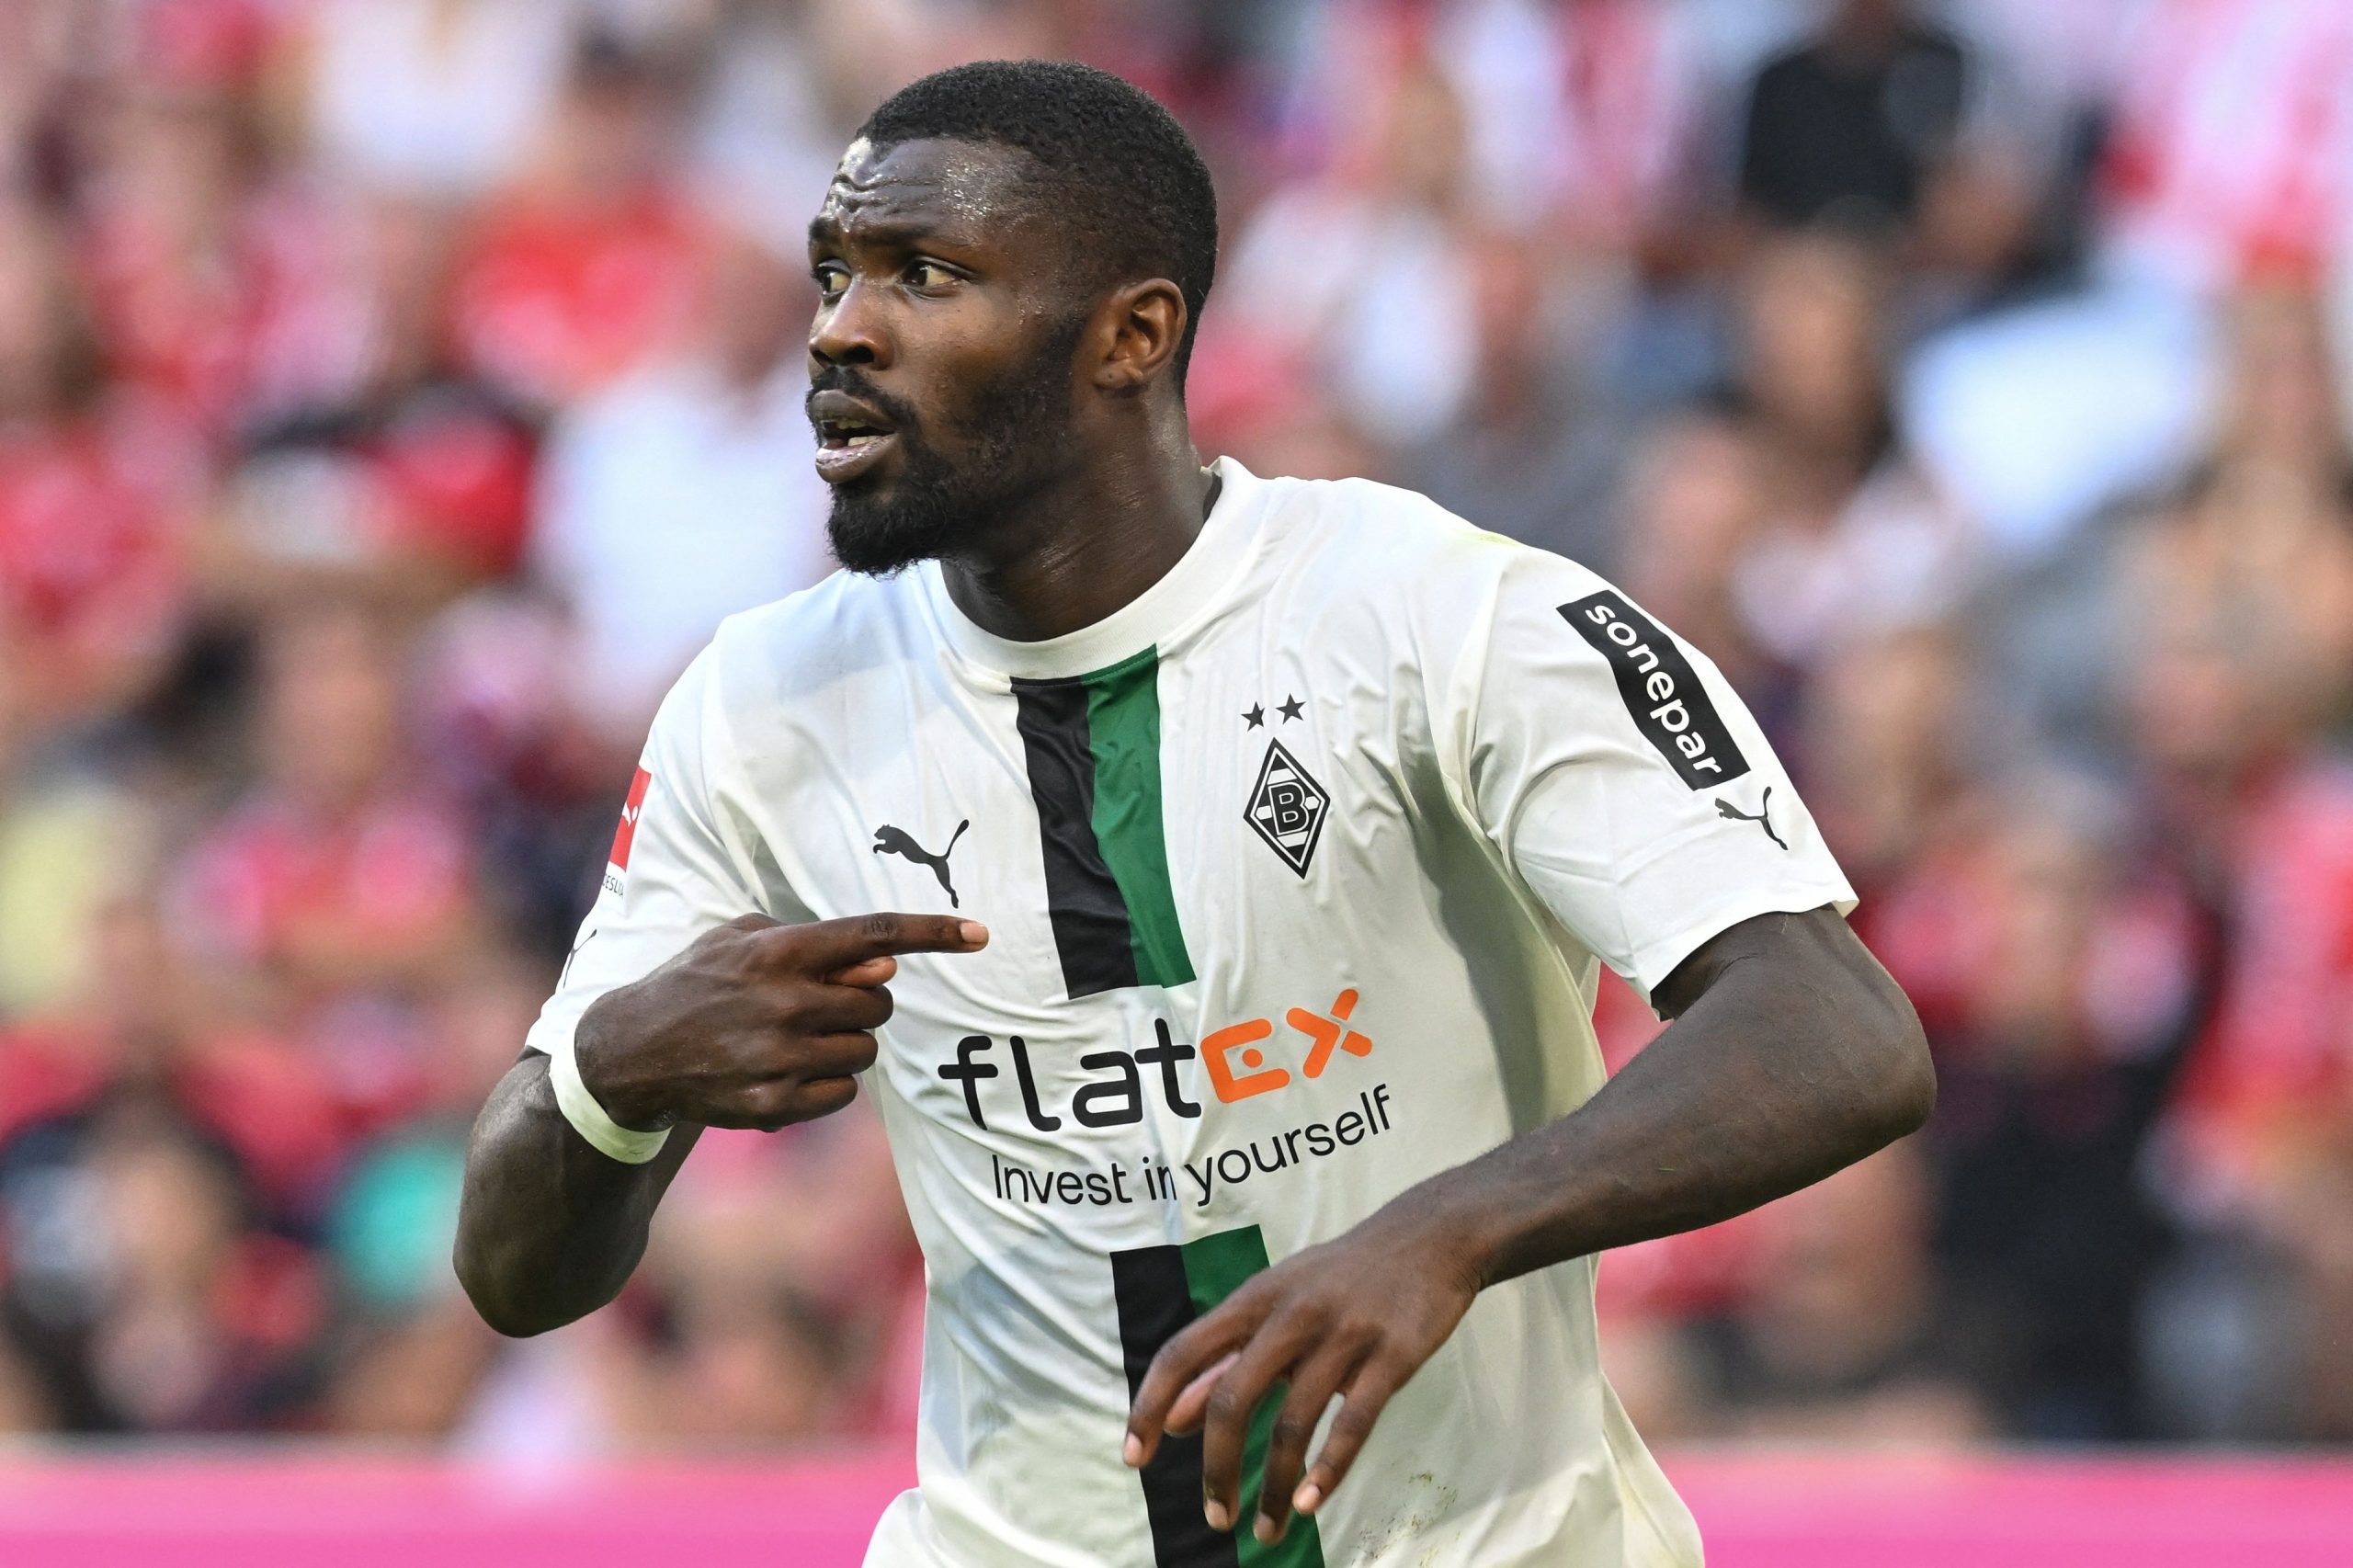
(942, 350)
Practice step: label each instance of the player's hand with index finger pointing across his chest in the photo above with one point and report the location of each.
(756, 1025)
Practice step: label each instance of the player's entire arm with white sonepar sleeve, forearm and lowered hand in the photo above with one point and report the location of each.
(1629, 792)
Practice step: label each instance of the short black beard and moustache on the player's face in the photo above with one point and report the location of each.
(1015, 430)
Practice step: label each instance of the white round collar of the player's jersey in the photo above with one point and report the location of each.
(1149, 620)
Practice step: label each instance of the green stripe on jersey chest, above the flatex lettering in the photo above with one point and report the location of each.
(1124, 731)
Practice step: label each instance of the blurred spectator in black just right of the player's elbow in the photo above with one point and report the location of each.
(2095, 978)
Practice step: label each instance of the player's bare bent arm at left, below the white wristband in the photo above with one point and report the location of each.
(549, 1230)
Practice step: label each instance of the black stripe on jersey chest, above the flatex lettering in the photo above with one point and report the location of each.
(1084, 901)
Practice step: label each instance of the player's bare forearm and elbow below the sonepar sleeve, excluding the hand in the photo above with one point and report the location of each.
(1794, 1056)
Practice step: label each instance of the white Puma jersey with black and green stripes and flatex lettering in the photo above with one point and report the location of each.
(1298, 877)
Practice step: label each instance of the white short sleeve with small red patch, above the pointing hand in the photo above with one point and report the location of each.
(672, 872)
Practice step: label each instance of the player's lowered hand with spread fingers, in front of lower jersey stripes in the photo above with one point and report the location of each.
(1352, 1317)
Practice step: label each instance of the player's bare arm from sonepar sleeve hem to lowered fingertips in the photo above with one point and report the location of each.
(1789, 1058)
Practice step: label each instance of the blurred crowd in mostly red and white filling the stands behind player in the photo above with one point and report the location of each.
(394, 394)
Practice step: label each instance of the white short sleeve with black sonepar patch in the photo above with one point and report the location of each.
(1622, 778)
